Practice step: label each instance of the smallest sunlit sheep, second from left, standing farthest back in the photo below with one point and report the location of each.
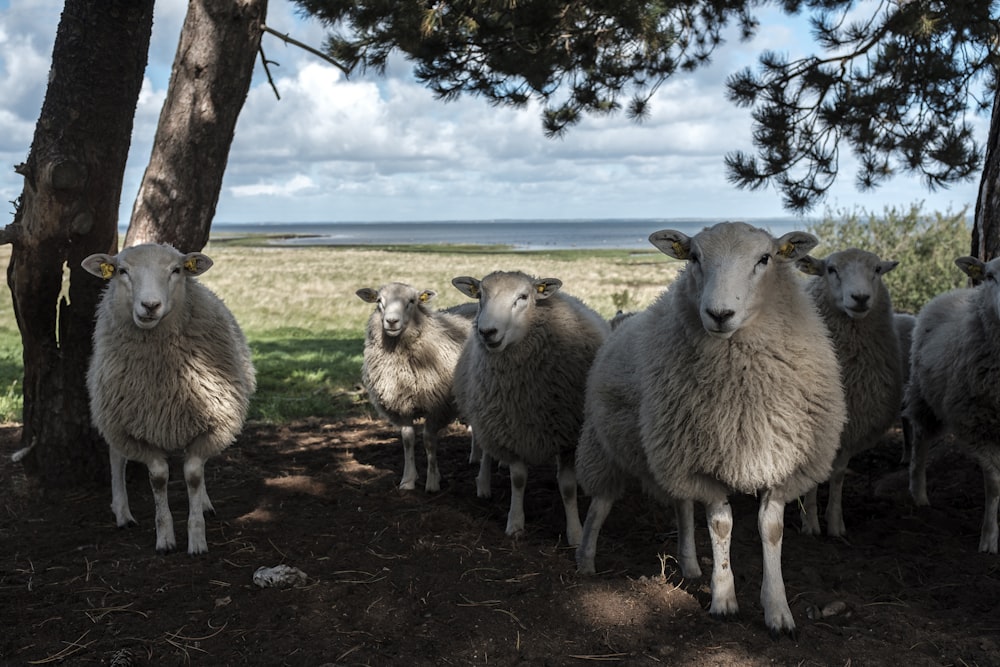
(409, 362)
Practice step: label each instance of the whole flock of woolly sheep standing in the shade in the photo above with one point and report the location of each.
(761, 370)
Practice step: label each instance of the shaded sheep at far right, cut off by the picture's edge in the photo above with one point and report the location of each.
(955, 383)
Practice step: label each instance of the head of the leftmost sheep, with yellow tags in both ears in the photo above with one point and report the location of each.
(148, 279)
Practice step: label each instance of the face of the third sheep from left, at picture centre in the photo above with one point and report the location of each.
(506, 305)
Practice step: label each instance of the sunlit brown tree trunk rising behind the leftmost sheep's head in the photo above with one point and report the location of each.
(208, 86)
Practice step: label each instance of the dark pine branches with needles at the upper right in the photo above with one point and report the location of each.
(898, 82)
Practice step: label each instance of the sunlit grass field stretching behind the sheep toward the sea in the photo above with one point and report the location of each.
(306, 326)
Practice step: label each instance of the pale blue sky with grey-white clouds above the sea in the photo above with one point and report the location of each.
(378, 149)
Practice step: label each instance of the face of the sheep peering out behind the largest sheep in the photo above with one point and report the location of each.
(852, 278)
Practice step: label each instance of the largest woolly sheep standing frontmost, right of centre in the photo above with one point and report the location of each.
(733, 383)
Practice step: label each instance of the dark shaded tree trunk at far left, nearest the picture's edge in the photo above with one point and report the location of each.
(68, 210)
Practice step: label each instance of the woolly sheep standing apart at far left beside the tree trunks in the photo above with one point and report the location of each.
(170, 373)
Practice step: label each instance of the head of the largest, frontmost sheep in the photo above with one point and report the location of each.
(727, 265)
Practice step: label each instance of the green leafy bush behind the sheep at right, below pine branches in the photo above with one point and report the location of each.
(925, 245)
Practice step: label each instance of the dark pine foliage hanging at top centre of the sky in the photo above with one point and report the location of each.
(575, 57)
